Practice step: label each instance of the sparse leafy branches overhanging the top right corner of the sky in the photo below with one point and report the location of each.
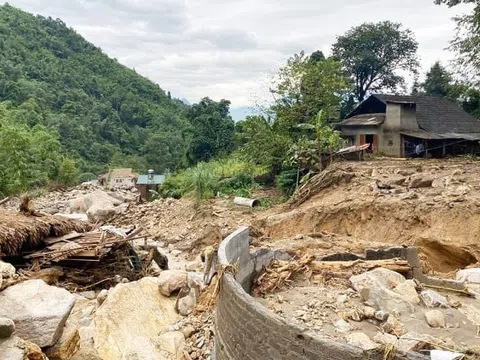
(467, 40)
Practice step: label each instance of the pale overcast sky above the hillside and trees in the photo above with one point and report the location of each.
(228, 48)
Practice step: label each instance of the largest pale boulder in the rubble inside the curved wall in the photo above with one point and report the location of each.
(375, 289)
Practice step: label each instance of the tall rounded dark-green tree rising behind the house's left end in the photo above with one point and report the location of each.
(372, 54)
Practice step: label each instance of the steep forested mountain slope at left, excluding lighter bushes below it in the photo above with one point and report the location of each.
(101, 112)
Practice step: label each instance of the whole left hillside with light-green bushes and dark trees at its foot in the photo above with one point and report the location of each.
(94, 112)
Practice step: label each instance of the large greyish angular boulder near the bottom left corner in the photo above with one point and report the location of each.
(38, 310)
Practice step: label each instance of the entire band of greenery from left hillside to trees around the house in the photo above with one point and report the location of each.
(68, 112)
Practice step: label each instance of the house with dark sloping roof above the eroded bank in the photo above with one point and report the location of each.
(395, 124)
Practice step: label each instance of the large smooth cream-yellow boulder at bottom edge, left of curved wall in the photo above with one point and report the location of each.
(128, 324)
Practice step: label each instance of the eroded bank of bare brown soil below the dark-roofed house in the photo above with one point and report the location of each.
(375, 207)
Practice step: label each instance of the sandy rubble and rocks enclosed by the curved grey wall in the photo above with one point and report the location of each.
(380, 309)
